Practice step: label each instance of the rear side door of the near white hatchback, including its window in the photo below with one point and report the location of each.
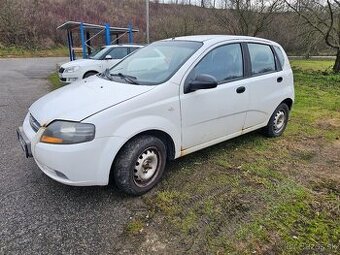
(265, 84)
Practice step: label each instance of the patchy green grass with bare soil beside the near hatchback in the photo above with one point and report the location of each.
(254, 195)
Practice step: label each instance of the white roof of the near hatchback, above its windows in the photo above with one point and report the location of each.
(218, 38)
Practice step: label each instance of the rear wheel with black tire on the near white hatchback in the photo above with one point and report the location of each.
(274, 127)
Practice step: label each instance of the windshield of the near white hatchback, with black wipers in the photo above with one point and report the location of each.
(155, 63)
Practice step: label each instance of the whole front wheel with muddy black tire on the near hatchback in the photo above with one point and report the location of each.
(140, 155)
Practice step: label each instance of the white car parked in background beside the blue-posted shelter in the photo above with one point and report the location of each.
(97, 63)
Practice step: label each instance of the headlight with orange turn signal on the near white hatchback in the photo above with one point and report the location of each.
(67, 132)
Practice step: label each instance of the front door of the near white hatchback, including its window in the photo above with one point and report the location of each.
(213, 115)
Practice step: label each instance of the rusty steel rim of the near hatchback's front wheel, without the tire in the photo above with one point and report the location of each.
(146, 167)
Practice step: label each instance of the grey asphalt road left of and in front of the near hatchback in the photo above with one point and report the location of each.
(37, 214)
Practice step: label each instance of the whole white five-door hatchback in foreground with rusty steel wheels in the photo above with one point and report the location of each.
(168, 99)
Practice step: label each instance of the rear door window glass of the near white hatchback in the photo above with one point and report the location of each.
(262, 58)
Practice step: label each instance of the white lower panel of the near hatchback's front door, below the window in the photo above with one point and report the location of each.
(226, 114)
